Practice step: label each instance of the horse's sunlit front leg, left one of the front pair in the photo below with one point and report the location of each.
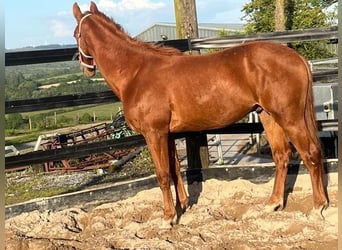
(158, 145)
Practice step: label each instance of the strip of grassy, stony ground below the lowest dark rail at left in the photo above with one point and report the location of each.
(32, 183)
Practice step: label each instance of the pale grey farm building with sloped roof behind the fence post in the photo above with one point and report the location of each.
(167, 31)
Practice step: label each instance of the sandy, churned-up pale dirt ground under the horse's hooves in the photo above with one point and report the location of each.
(222, 215)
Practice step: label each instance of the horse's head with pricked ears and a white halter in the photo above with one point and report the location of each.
(87, 61)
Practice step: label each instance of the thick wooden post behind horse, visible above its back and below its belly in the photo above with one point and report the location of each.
(187, 27)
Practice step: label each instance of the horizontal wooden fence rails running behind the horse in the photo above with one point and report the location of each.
(194, 159)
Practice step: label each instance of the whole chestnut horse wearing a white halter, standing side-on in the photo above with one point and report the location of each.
(164, 91)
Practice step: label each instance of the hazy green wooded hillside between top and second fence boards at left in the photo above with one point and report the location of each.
(52, 79)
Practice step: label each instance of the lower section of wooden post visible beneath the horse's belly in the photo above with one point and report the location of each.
(197, 151)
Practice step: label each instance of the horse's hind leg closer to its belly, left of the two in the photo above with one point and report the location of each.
(281, 152)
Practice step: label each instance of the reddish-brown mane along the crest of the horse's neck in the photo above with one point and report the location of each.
(144, 45)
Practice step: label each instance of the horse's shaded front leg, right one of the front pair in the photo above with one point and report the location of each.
(181, 195)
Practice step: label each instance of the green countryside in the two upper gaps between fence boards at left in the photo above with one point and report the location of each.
(52, 79)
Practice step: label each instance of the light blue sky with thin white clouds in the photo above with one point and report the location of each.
(42, 22)
